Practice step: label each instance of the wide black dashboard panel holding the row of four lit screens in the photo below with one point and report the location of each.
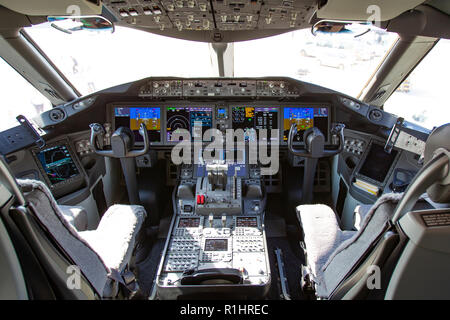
(168, 123)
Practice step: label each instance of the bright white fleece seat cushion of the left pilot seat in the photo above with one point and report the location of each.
(115, 237)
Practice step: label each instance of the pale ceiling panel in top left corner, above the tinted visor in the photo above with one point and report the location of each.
(54, 7)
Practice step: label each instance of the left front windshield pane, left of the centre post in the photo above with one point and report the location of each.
(96, 60)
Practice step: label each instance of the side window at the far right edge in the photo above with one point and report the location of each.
(422, 98)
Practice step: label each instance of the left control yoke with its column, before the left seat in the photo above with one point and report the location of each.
(122, 143)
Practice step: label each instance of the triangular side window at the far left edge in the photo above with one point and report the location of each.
(18, 96)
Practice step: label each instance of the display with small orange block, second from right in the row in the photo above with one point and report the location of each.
(251, 119)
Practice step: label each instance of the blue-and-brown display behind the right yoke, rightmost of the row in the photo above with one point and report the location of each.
(305, 117)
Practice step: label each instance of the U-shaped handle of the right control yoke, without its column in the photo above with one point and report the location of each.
(315, 142)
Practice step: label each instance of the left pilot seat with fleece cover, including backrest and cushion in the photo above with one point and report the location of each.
(58, 237)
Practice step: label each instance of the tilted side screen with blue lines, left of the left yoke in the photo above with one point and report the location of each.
(58, 164)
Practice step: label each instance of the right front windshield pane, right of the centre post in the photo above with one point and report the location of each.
(337, 61)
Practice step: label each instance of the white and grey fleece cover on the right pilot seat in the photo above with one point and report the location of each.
(331, 252)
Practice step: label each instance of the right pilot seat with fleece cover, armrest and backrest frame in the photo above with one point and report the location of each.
(334, 256)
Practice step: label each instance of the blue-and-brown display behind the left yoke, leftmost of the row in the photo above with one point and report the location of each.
(132, 117)
